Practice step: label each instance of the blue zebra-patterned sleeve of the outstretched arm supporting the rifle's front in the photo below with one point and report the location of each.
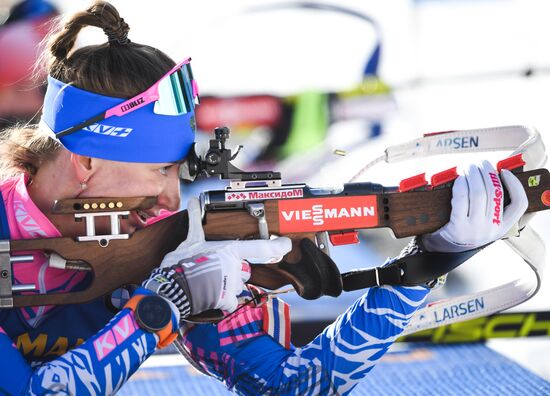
(333, 363)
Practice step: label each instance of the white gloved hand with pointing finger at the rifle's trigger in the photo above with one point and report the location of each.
(201, 275)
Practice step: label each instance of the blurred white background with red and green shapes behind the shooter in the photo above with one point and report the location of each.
(297, 80)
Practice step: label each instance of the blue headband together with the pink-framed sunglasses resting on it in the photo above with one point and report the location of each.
(156, 126)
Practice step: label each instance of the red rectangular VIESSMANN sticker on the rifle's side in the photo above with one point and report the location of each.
(326, 214)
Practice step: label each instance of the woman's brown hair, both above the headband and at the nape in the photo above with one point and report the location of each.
(118, 68)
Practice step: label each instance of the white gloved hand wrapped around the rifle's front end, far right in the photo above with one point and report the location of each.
(478, 216)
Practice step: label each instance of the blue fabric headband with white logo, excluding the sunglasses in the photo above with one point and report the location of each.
(138, 136)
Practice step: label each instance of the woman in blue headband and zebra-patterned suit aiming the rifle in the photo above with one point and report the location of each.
(118, 120)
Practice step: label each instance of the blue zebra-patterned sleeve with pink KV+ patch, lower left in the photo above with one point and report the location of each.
(101, 365)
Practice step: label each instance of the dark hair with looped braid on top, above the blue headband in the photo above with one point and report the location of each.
(117, 68)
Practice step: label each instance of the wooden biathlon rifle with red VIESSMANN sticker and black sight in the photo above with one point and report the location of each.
(257, 205)
